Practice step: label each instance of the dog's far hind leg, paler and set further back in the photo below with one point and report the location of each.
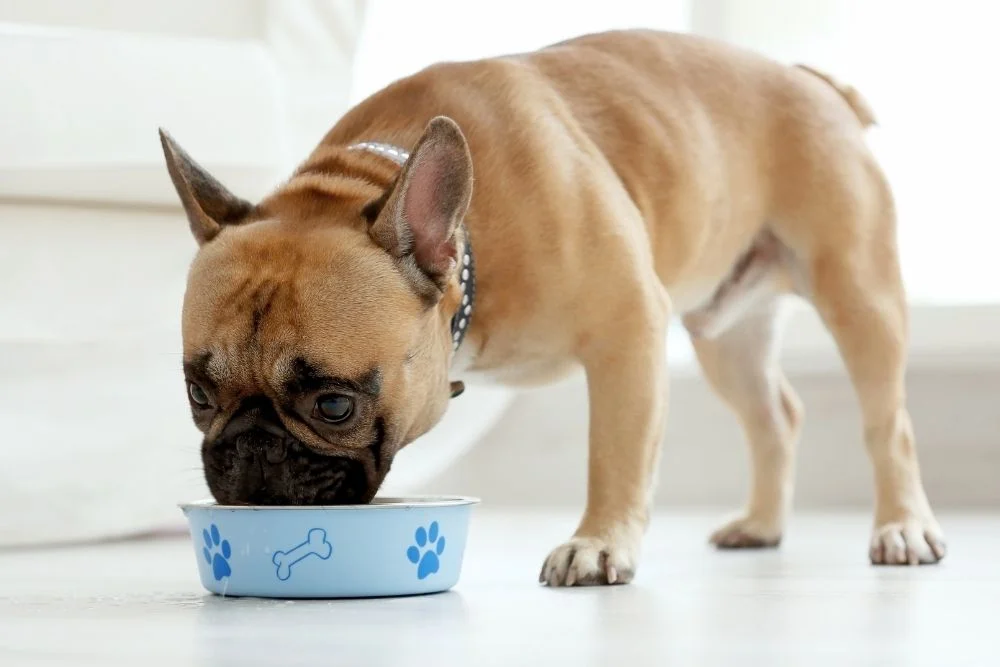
(741, 365)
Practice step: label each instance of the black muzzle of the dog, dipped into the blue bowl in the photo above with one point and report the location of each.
(256, 461)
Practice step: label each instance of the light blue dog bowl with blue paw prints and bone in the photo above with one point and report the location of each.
(394, 546)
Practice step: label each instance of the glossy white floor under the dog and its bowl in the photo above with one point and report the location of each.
(813, 602)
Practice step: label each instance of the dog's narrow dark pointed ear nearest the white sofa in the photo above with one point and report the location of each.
(208, 204)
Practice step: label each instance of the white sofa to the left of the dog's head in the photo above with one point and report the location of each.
(97, 440)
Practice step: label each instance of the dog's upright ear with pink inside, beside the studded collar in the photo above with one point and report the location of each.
(425, 207)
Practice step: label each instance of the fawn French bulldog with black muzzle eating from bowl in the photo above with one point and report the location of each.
(521, 217)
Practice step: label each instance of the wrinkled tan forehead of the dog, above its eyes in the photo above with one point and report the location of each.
(258, 303)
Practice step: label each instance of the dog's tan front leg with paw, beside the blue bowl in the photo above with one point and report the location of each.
(625, 365)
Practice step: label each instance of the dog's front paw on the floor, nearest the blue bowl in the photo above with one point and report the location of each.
(588, 561)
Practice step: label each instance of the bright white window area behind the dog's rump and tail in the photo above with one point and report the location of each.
(923, 66)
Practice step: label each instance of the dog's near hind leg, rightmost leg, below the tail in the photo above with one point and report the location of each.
(856, 286)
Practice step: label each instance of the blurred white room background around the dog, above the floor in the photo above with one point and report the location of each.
(95, 435)
